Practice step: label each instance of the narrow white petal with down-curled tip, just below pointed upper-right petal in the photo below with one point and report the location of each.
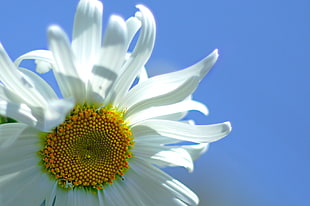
(160, 111)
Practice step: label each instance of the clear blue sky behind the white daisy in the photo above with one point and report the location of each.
(260, 83)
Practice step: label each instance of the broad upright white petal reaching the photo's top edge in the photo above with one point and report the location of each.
(87, 33)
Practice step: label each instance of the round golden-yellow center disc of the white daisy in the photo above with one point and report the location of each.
(90, 149)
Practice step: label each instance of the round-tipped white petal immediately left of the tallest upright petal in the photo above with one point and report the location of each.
(68, 79)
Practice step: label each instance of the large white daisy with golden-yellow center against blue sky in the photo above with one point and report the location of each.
(104, 139)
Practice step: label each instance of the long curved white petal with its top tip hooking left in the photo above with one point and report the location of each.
(139, 56)
